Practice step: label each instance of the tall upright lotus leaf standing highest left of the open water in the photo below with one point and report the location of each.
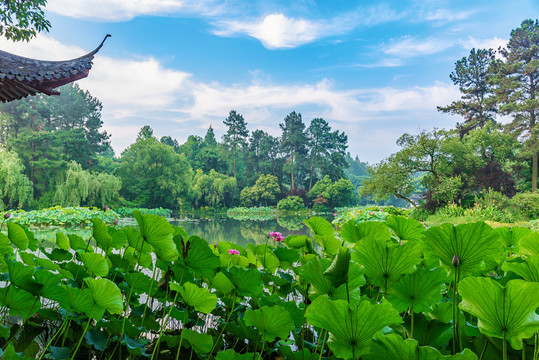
(158, 232)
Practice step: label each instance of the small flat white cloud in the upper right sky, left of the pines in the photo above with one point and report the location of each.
(408, 46)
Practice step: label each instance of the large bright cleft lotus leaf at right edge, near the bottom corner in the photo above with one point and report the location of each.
(511, 308)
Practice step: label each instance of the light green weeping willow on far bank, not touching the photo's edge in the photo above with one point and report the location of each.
(83, 187)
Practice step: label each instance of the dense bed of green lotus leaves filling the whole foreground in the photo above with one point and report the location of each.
(372, 290)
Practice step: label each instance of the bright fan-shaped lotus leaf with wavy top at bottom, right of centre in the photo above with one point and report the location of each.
(351, 328)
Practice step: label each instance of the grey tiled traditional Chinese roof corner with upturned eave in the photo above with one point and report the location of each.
(20, 76)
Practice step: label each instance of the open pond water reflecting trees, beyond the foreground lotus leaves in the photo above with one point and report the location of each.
(213, 229)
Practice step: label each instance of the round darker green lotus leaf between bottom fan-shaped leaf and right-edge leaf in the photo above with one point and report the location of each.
(420, 289)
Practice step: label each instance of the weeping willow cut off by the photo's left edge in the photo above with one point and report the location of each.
(15, 187)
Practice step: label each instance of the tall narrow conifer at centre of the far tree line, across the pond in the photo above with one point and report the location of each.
(294, 141)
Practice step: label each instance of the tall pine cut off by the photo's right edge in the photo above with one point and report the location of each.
(518, 83)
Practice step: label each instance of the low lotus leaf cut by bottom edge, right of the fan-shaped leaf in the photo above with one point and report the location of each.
(392, 346)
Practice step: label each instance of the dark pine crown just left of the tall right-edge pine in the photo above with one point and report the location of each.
(473, 76)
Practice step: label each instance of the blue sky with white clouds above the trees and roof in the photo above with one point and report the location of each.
(374, 69)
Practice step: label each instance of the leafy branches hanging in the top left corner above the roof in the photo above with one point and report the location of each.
(22, 20)
